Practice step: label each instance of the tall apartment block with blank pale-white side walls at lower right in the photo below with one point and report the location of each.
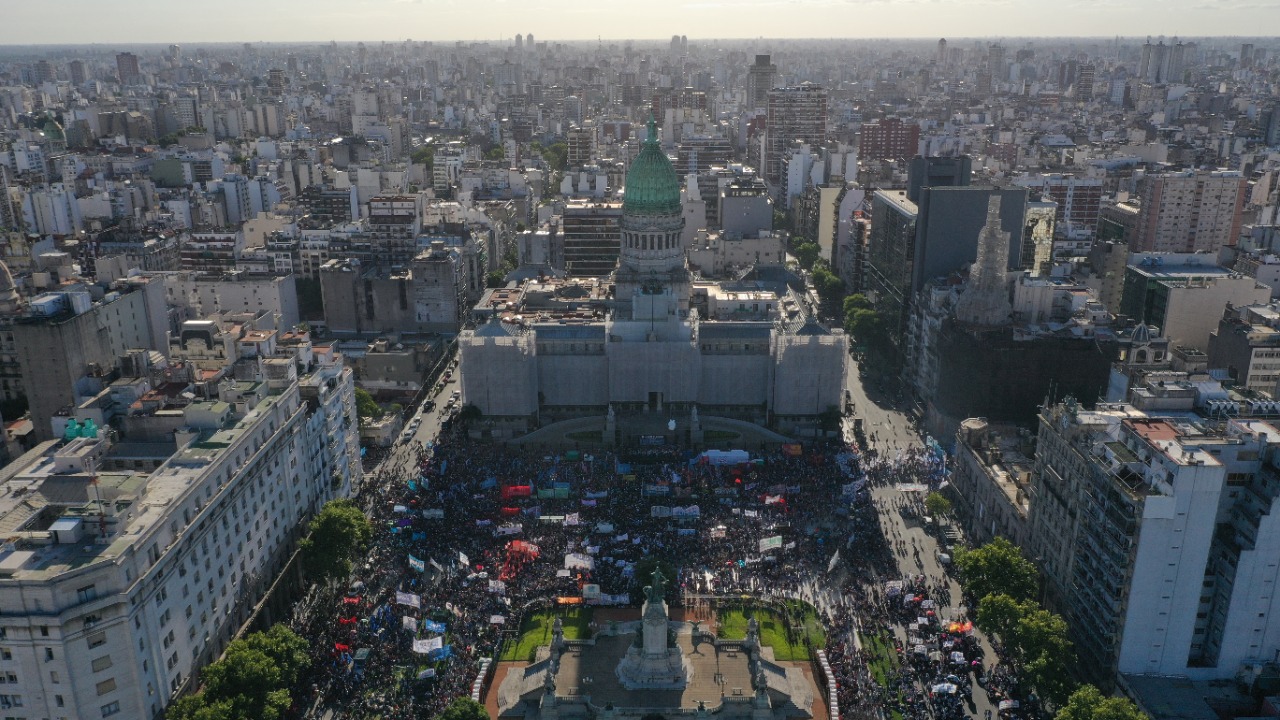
(1126, 508)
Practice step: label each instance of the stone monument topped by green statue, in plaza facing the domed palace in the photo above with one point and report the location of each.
(655, 662)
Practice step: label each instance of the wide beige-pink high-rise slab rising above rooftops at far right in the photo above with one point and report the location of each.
(1190, 212)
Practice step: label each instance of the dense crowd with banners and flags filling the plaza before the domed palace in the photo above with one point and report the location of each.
(469, 536)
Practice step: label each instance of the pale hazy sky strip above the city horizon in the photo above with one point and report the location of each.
(186, 21)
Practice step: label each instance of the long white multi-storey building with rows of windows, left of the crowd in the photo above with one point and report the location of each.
(122, 577)
